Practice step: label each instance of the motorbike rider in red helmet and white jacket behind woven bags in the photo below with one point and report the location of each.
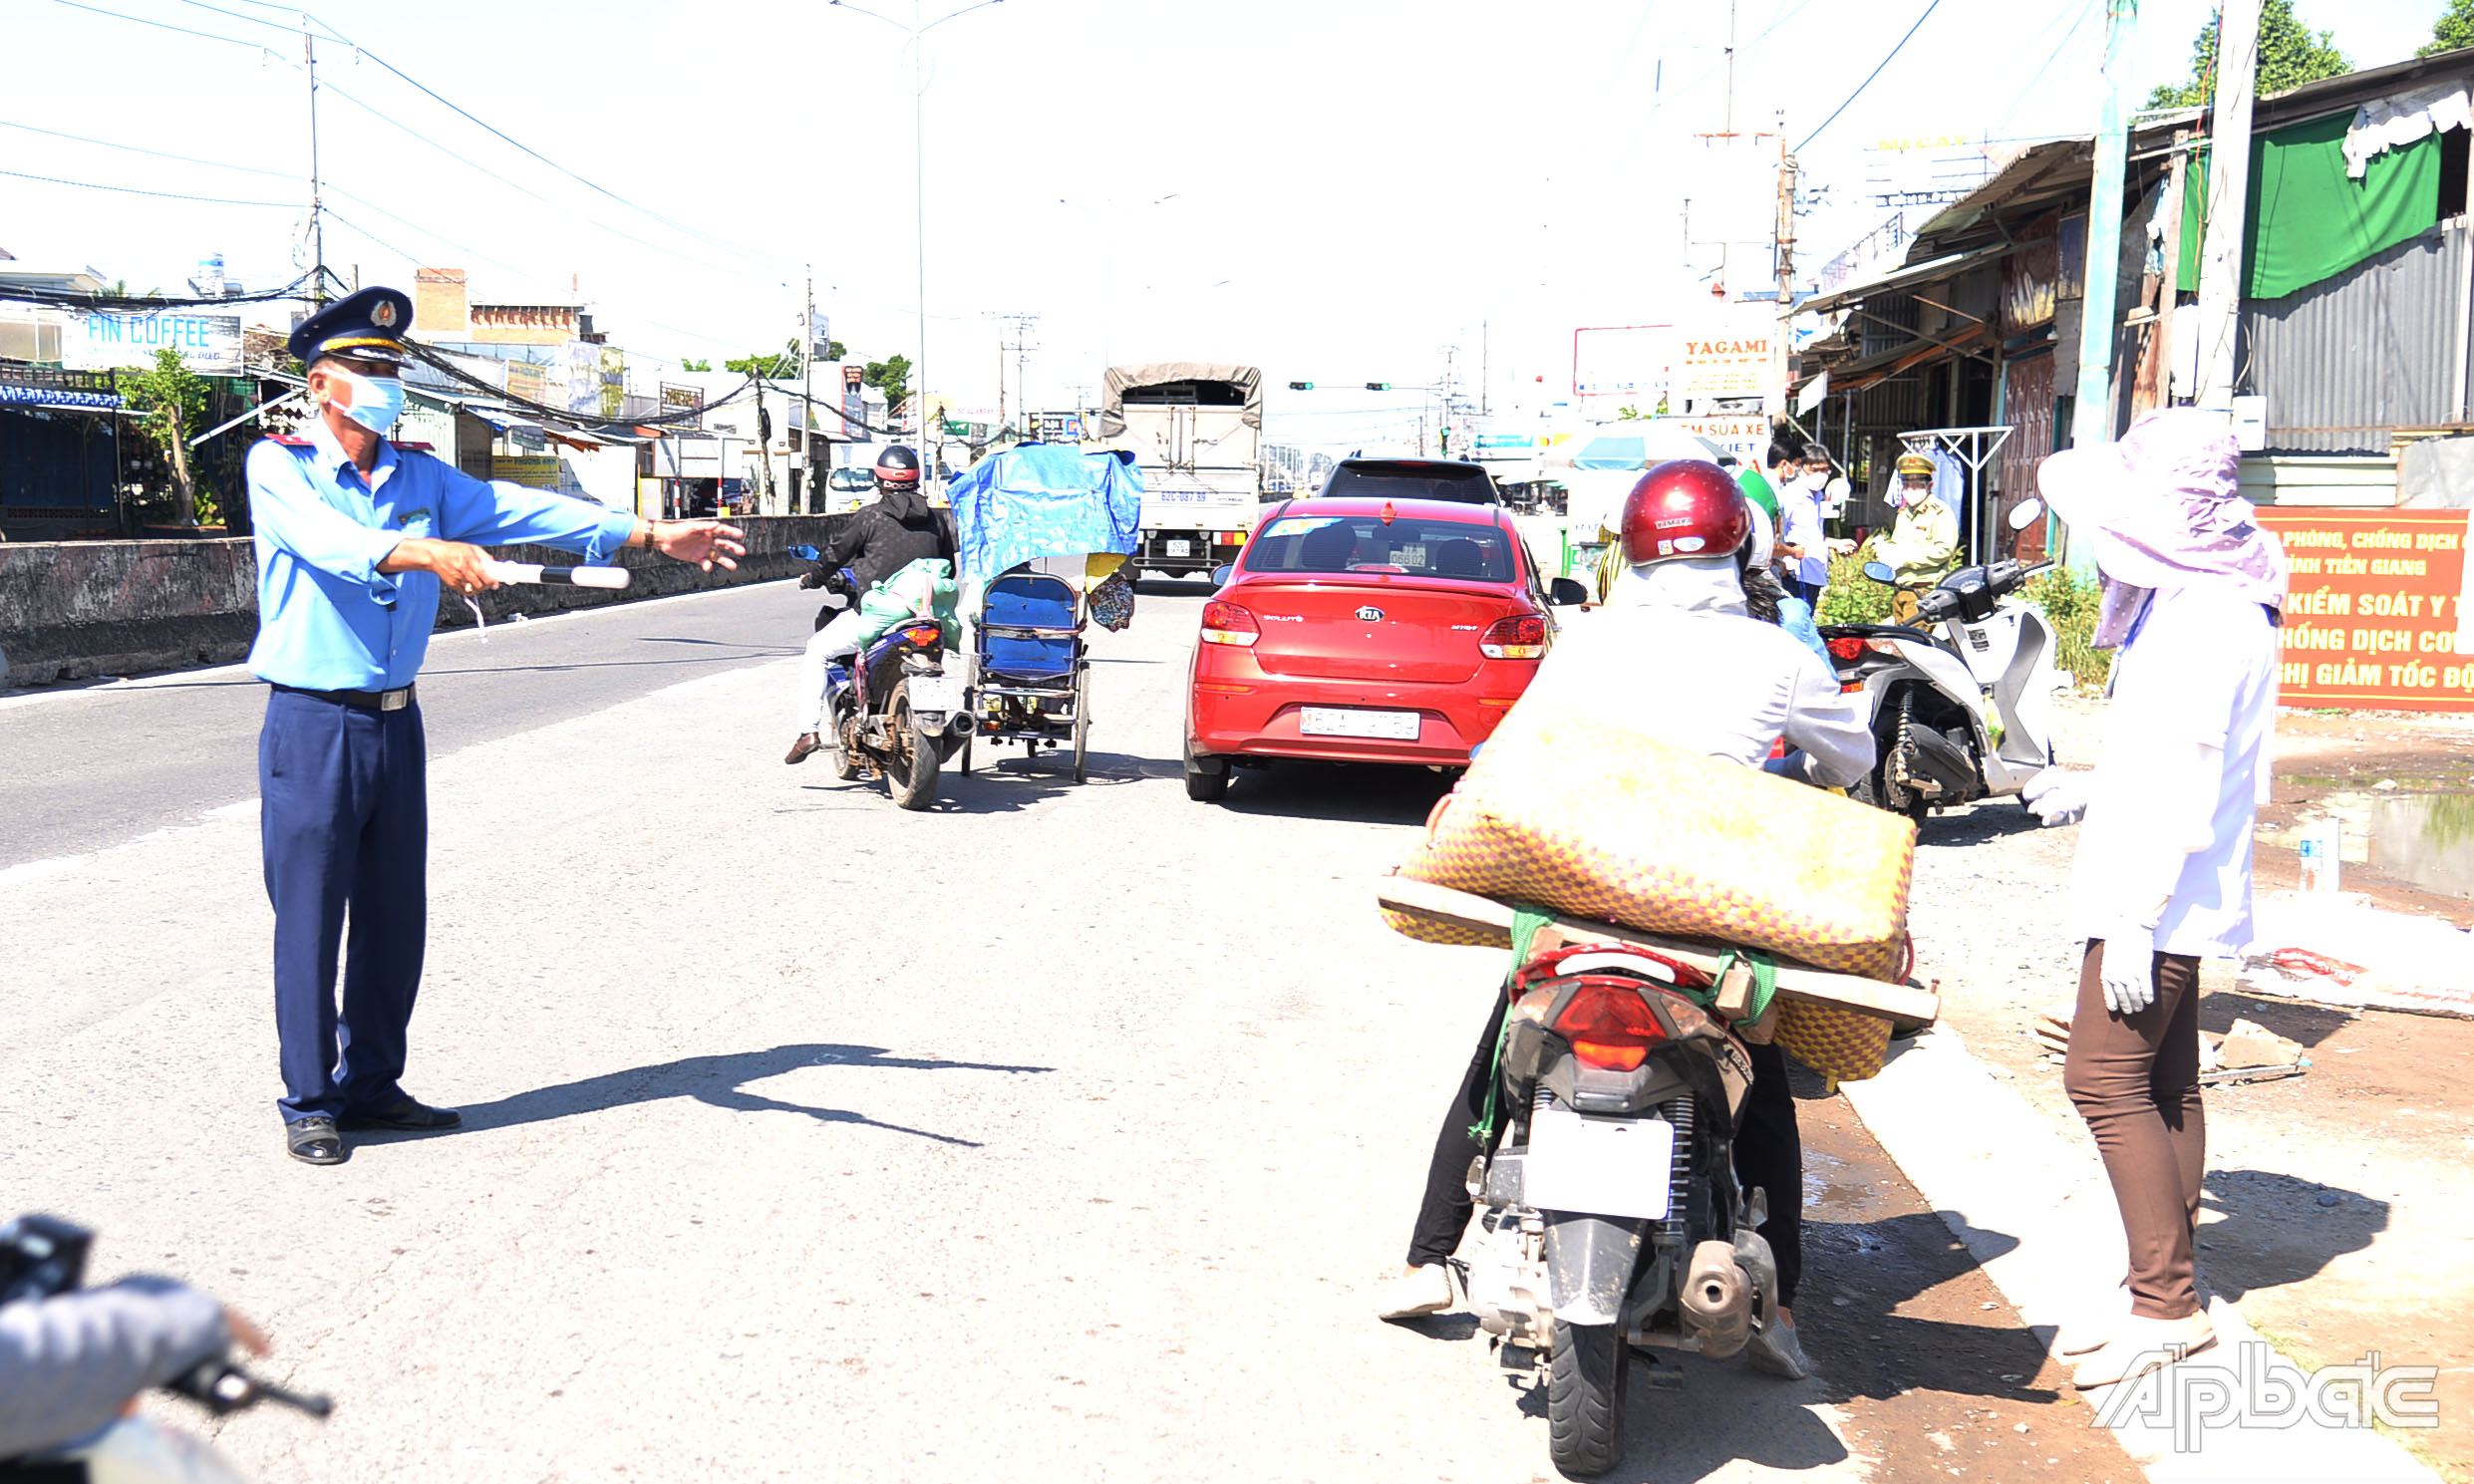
(1676, 657)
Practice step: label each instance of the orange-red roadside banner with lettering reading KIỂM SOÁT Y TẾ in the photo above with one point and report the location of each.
(2376, 607)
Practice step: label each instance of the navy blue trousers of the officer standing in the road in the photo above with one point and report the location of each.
(348, 830)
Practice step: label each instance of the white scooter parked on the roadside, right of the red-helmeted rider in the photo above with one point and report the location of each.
(1963, 694)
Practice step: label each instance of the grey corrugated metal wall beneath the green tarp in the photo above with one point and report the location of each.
(2356, 357)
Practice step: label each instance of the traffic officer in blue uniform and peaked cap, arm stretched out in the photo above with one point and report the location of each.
(353, 543)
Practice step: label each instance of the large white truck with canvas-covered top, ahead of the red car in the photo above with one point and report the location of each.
(1196, 432)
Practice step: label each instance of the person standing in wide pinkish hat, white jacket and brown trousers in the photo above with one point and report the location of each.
(2193, 595)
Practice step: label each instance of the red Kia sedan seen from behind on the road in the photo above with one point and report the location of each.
(1367, 632)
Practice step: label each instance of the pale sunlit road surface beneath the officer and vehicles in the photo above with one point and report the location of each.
(1058, 1134)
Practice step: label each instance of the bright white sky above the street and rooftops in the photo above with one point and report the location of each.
(1330, 189)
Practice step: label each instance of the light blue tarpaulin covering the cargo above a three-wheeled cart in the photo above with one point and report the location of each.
(1045, 501)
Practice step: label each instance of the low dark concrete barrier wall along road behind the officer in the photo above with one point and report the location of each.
(75, 610)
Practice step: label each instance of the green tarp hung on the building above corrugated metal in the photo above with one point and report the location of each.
(2307, 221)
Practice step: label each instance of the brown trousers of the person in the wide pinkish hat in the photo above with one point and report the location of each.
(2136, 1082)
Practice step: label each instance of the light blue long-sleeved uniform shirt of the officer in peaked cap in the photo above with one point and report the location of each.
(328, 620)
